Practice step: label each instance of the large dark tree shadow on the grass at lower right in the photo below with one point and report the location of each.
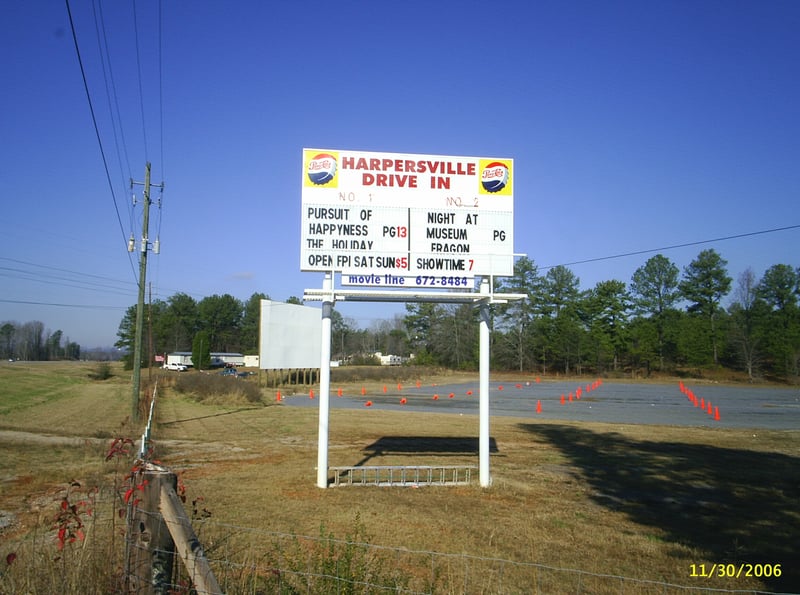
(739, 506)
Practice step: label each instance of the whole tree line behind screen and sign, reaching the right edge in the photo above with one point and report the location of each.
(662, 319)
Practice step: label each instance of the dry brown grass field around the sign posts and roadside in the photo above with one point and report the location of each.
(637, 501)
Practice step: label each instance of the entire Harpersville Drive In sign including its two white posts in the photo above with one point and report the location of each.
(413, 228)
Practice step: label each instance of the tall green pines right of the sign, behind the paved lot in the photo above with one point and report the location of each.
(663, 319)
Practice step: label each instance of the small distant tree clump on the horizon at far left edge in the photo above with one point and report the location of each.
(30, 341)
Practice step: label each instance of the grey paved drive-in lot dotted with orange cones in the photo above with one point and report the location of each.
(613, 402)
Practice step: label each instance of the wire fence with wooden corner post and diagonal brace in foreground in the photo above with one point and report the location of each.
(239, 559)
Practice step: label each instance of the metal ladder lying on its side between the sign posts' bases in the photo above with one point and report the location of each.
(404, 475)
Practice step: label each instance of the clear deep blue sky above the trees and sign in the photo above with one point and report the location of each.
(633, 126)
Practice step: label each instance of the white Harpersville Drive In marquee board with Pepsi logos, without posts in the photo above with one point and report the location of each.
(388, 216)
